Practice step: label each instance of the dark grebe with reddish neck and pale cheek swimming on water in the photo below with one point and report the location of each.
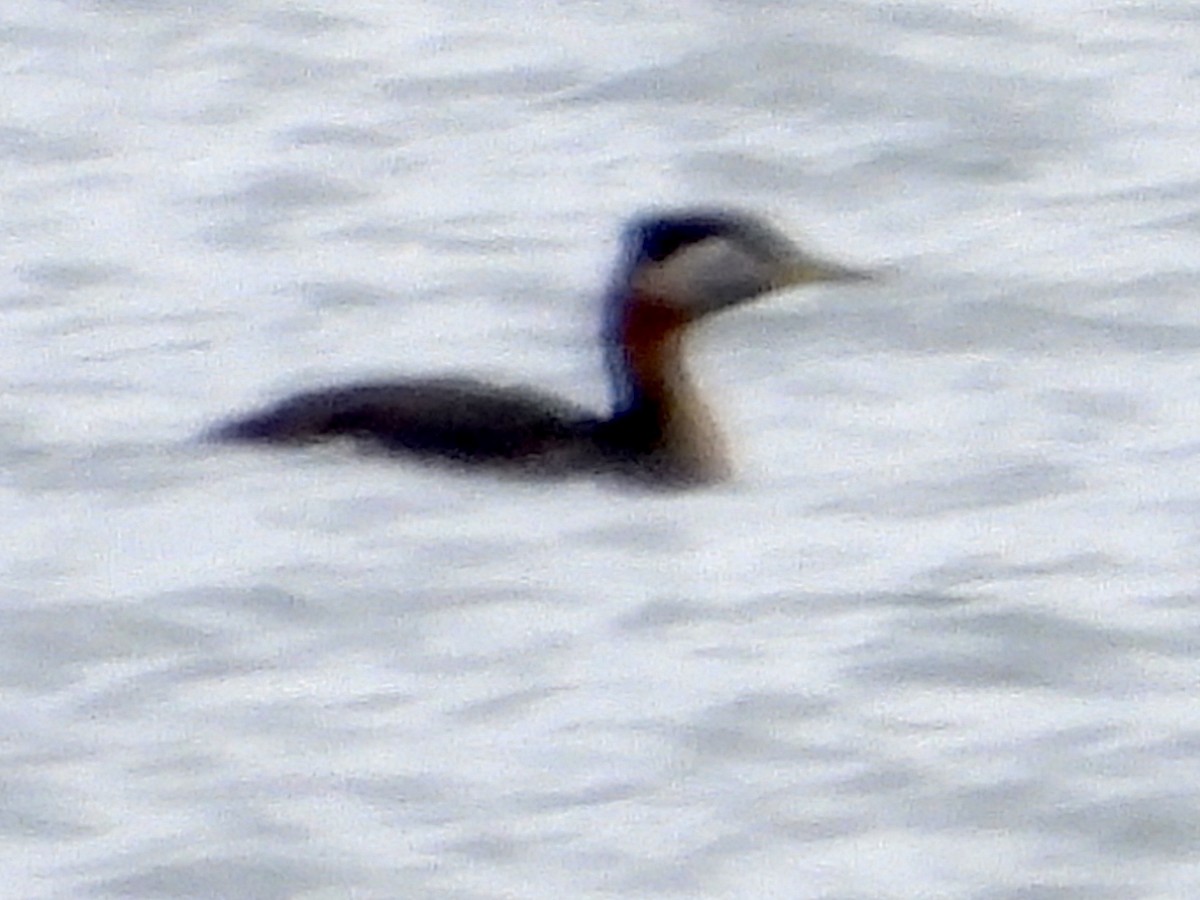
(676, 271)
